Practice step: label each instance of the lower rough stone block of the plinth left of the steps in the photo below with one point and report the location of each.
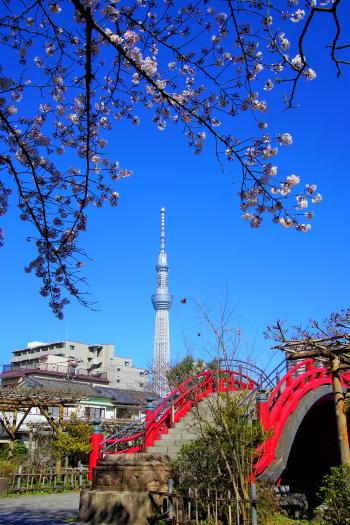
(110, 507)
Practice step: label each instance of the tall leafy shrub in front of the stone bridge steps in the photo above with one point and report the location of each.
(222, 457)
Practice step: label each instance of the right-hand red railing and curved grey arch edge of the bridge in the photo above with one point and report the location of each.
(288, 408)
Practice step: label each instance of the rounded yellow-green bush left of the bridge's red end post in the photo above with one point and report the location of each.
(74, 442)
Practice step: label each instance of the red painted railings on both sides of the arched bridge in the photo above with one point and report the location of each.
(273, 414)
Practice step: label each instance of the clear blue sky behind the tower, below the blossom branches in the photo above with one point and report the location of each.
(270, 273)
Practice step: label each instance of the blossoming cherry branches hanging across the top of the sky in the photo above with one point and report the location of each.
(75, 69)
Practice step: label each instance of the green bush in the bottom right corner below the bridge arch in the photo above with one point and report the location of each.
(335, 492)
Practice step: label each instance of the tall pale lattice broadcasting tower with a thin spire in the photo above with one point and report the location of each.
(162, 302)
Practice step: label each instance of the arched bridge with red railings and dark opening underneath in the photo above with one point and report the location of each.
(297, 410)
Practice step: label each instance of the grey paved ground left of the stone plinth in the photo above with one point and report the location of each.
(47, 509)
